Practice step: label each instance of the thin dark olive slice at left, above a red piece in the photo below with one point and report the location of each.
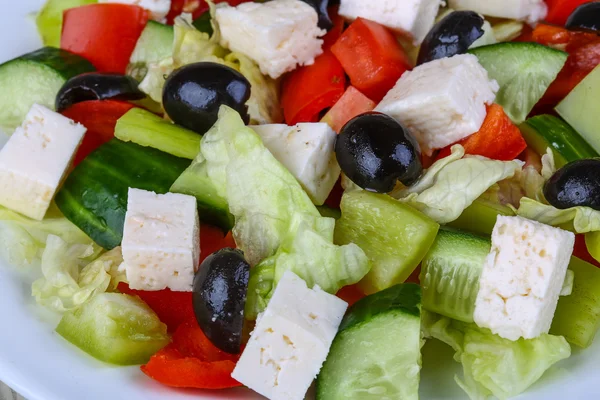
(97, 86)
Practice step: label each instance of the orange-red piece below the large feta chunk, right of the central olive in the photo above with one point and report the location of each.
(498, 138)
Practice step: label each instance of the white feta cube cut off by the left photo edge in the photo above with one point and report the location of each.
(35, 159)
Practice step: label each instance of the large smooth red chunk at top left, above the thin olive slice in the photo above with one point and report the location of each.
(104, 34)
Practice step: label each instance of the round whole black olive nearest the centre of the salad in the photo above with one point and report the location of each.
(374, 151)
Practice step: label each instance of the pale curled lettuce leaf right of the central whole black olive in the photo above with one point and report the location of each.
(451, 184)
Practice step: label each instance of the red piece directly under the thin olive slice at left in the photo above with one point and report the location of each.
(100, 118)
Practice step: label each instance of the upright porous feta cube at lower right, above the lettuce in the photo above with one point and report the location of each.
(522, 278)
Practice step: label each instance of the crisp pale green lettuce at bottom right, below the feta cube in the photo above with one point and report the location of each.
(493, 365)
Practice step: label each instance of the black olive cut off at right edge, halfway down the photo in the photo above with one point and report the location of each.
(575, 184)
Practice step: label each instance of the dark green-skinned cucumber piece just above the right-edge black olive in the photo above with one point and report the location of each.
(567, 145)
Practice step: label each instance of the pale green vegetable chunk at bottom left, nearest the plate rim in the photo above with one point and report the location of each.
(115, 328)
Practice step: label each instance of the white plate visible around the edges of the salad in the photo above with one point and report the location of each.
(40, 365)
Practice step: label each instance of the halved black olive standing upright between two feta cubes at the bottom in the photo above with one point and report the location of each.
(219, 297)
